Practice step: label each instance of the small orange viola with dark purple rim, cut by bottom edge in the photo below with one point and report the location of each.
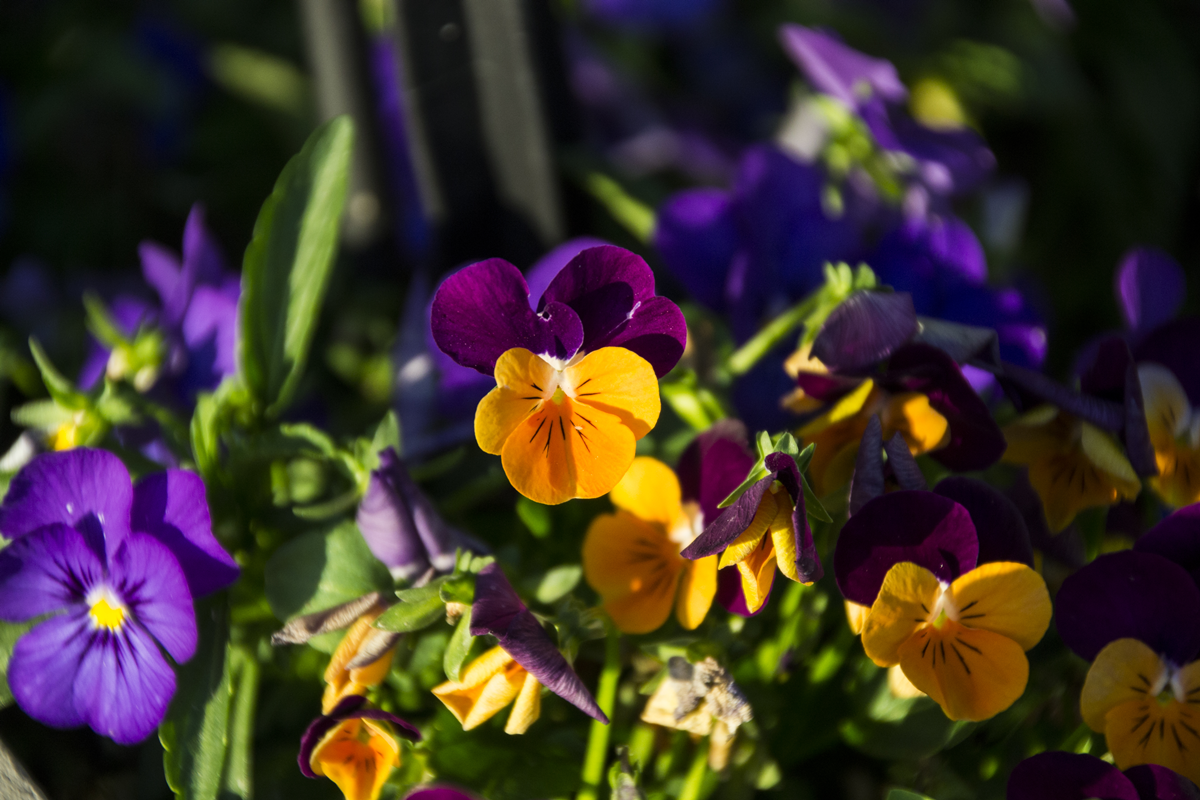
(356, 748)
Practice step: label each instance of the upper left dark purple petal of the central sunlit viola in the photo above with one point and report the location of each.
(483, 311)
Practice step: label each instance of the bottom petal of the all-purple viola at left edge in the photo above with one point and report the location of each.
(124, 685)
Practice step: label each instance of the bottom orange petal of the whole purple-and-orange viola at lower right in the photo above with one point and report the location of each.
(973, 675)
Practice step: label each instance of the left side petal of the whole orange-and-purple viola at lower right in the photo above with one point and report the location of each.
(904, 604)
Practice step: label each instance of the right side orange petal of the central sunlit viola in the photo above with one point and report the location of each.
(617, 382)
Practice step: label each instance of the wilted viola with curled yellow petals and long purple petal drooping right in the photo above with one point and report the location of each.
(517, 670)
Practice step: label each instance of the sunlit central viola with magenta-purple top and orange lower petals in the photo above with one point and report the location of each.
(577, 380)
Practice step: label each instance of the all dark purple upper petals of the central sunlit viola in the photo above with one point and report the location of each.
(603, 298)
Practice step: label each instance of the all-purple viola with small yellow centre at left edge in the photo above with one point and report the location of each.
(115, 567)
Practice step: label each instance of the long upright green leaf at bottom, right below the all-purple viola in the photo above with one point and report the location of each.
(195, 732)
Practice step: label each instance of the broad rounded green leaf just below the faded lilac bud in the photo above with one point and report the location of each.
(323, 569)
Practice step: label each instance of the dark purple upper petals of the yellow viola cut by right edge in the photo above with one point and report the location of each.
(1131, 596)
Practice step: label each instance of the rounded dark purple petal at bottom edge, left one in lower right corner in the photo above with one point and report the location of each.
(1069, 777)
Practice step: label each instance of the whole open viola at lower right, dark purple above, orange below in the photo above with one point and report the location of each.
(953, 599)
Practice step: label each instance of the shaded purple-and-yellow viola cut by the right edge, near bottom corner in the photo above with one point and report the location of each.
(1136, 616)
